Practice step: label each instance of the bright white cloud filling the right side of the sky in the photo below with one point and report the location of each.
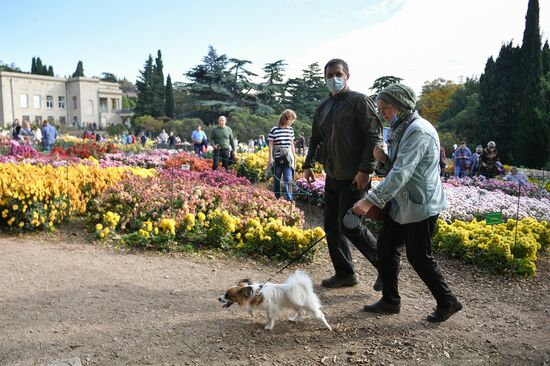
(425, 40)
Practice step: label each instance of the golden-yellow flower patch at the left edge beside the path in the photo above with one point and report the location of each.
(43, 195)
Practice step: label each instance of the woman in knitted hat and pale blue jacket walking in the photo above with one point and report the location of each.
(415, 196)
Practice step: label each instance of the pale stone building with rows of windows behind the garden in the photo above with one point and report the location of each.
(76, 102)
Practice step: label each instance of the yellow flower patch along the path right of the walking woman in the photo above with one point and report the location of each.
(495, 246)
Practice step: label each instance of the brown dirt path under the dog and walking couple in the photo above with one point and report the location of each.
(62, 298)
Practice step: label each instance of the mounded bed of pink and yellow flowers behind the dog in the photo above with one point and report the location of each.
(183, 210)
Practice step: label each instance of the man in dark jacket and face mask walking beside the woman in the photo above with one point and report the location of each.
(344, 133)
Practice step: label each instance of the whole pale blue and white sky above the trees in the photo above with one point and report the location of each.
(417, 40)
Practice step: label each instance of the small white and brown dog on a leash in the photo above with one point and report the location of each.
(297, 294)
